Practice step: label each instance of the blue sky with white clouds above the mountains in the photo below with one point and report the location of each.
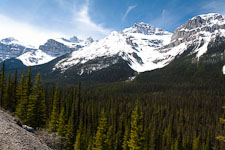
(38, 20)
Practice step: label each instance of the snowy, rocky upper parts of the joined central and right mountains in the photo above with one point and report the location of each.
(146, 48)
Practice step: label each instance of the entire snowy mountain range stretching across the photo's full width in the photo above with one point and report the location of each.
(122, 55)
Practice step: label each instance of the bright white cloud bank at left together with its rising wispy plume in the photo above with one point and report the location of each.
(80, 24)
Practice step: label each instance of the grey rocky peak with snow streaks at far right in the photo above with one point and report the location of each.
(198, 32)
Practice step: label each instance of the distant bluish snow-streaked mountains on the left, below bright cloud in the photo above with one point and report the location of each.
(53, 48)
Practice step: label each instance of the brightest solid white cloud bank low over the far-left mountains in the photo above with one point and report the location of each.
(24, 32)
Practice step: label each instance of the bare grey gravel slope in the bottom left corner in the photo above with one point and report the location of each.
(14, 137)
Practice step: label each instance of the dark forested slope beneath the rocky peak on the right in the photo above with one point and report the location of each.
(187, 68)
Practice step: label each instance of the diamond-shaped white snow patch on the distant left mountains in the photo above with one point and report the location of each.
(36, 57)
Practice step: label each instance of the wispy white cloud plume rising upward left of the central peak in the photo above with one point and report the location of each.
(84, 26)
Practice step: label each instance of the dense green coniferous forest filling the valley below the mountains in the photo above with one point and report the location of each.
(113, 117)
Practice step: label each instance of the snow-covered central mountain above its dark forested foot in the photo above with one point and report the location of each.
(137, 45)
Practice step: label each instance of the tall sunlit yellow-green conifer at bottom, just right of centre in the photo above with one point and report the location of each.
(136, 134)
